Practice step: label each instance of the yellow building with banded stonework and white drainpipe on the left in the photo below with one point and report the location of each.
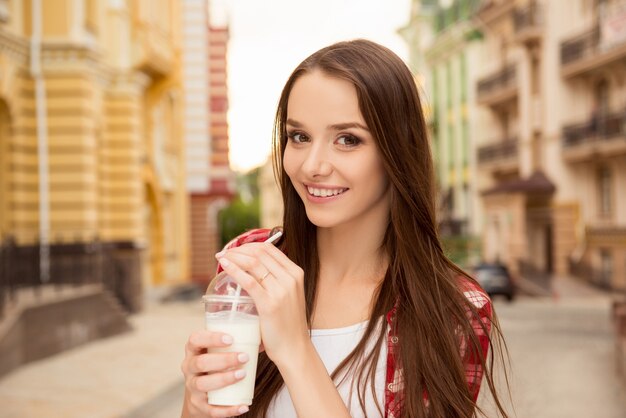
(91, 145)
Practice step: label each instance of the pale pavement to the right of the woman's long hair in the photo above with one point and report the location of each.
(562, 359)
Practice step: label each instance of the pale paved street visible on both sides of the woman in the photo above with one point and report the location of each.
(561, 353)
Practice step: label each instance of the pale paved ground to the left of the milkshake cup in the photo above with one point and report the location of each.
(107, 378)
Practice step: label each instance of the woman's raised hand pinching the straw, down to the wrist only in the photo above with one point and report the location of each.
(277, 286)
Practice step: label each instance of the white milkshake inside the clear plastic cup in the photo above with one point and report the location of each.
(244, 328)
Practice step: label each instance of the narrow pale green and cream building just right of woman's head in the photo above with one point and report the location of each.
(446, 47)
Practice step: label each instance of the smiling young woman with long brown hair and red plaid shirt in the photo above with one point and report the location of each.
(361, 312)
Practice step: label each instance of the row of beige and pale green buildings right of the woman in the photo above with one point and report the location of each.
(528, 126)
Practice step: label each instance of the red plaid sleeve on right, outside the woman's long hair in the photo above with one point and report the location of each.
(481, 325)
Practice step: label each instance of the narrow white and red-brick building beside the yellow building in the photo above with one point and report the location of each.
(209, 179)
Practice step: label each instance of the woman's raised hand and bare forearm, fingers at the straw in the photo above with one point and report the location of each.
(277, 286)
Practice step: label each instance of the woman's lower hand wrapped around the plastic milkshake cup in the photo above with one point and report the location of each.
(205, 371)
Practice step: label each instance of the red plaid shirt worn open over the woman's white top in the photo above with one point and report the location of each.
(394, 381)
